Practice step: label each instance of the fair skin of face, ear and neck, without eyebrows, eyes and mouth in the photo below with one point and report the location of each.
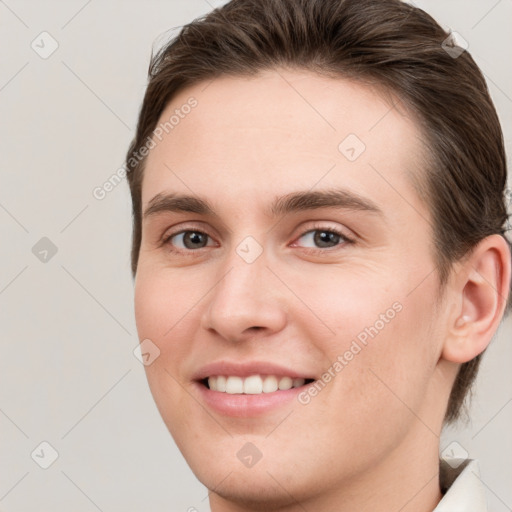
(248, 141)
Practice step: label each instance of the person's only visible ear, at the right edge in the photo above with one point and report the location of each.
(480, 289)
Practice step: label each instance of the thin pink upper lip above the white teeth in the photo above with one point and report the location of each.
(248, 368)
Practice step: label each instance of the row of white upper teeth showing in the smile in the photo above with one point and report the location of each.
(253, 385)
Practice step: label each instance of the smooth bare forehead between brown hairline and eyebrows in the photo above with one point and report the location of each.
(250, 138)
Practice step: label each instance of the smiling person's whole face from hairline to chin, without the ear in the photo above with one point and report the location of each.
(302, 257)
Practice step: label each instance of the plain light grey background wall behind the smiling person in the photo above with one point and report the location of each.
(67, 370)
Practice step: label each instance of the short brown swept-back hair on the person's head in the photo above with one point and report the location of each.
(384, 42)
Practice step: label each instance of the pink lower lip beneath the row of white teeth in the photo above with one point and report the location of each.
(243, 406)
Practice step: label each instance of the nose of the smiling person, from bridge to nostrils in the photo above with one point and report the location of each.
(245, 302)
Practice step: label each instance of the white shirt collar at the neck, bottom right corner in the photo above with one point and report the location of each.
(465, 489)
